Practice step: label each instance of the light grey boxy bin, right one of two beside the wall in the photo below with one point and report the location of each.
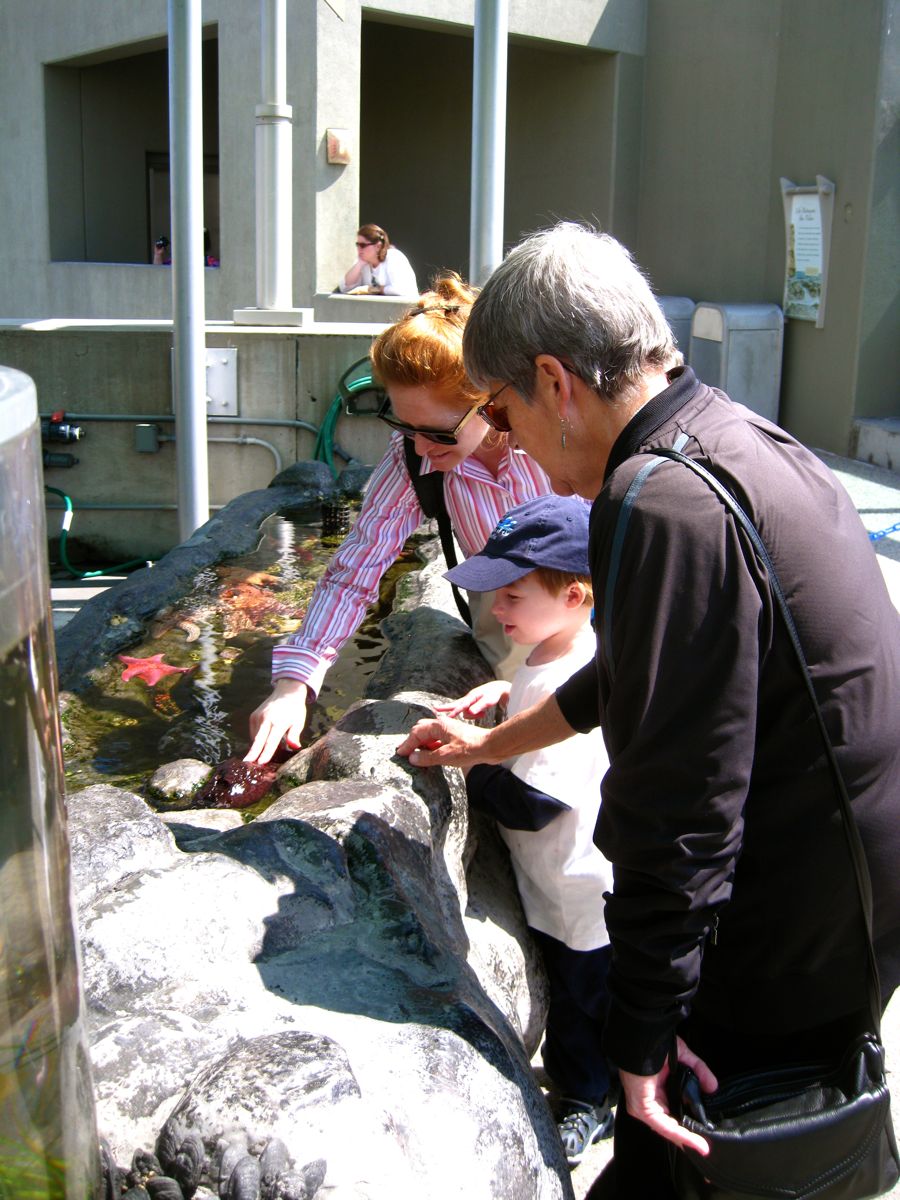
(737, 349)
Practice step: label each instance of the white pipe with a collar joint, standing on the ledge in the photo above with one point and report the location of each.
(274, 163)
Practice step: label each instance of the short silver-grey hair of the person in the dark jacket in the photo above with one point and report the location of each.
(574, 293)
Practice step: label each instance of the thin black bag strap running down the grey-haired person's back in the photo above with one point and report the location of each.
(857, 854)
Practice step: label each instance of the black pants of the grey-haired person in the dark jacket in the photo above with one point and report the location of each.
(640, 1167)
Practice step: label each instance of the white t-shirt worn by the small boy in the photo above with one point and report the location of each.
(561, 874)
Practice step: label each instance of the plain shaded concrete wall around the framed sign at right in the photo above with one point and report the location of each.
(737, 97)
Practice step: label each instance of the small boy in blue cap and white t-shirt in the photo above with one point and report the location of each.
(547, 802)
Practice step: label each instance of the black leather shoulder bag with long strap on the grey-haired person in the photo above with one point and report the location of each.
(802, 1132)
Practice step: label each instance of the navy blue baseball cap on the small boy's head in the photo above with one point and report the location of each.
(550, 531)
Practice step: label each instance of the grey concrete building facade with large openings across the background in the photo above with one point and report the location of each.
(670, 124)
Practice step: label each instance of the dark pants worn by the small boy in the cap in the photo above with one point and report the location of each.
(575, 1019)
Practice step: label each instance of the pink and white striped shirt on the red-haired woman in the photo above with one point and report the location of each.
(391, 513)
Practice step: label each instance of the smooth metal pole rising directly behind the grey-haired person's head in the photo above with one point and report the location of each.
(489, 137)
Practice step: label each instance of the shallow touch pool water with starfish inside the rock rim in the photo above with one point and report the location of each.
(119, 731)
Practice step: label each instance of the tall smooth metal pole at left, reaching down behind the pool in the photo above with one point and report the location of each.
(188, 262)
